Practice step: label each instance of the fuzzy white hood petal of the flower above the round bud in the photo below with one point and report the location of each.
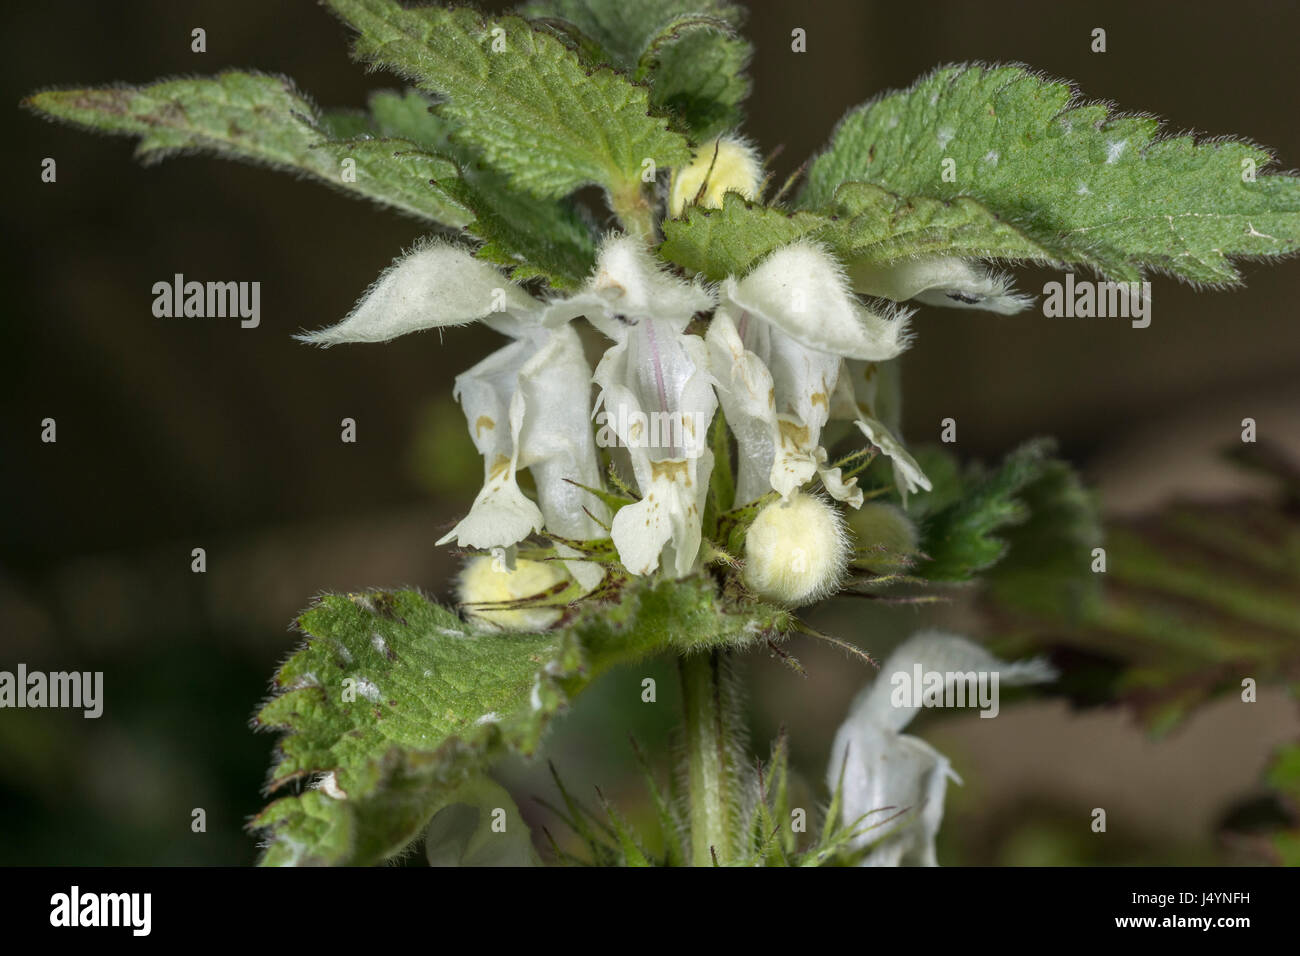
(803, 291)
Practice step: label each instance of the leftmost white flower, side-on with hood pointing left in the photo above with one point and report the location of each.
(526, 404)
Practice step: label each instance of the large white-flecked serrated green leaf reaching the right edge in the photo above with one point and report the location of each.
(1097, 188)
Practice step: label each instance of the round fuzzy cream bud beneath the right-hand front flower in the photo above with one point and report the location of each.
(796, 551)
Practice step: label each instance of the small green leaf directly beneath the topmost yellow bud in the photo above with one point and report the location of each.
(733, 240)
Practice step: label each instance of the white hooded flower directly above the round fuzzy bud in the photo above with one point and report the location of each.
(778, 343)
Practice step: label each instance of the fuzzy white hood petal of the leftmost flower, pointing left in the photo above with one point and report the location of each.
(435, 285)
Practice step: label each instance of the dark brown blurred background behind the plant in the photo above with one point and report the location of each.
(180, 434)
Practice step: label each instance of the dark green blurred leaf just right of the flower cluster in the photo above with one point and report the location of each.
(963, 539)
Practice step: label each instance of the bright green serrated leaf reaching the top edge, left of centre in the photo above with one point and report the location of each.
(532, 110)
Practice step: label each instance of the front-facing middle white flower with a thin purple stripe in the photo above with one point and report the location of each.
(657, 401)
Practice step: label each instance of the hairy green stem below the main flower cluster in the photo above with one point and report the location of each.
(710, 720)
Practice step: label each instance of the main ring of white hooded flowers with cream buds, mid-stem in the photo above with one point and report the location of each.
(790, 347)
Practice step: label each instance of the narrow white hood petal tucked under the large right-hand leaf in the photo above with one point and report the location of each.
(941, 282)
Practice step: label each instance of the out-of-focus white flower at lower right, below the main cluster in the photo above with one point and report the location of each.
(892, 775)
